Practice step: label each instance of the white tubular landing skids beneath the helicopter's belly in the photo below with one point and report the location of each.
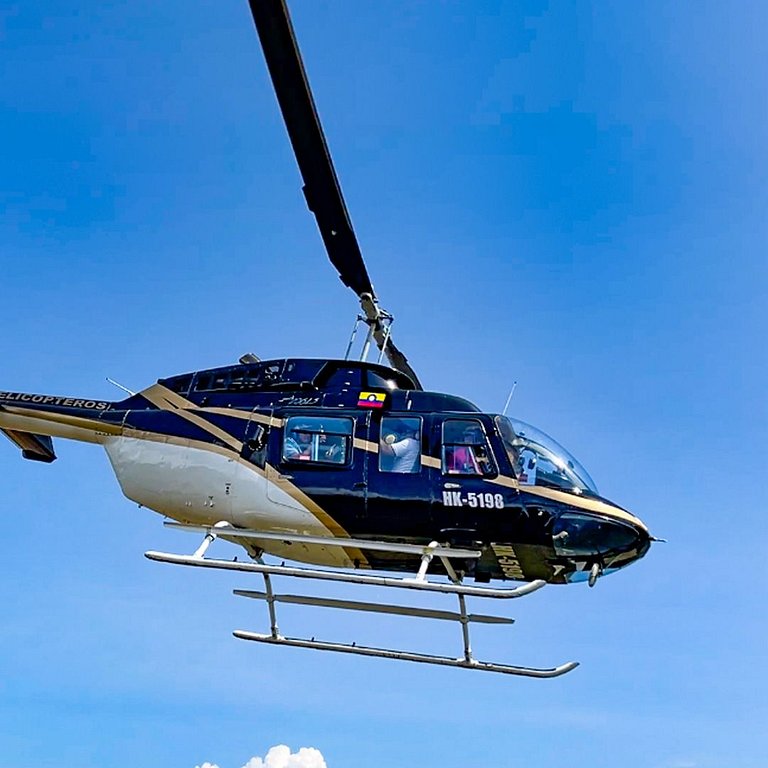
(418, 582)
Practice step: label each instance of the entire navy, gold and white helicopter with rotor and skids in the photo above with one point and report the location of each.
(347, 466)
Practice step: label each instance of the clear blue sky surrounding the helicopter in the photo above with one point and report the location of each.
(564, 194)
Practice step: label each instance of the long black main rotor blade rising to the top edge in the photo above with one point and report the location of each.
(321, 186)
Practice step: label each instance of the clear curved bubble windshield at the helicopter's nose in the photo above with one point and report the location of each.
(540, 460)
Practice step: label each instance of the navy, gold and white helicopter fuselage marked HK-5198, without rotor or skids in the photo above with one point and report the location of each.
(468, 483)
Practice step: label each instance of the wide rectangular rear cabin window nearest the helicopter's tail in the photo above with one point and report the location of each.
(318, 440)
